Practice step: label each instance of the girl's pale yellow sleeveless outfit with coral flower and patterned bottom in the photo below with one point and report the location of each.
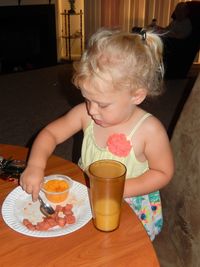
(147, 207)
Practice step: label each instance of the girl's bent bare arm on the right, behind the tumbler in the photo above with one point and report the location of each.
(157, 151)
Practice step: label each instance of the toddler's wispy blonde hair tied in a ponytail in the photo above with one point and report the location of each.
(129, 59)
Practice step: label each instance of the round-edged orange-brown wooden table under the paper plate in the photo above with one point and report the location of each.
(129, 245)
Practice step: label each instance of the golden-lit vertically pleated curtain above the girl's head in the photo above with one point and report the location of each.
(126, 13)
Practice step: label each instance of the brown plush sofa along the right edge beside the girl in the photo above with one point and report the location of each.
(178, 245)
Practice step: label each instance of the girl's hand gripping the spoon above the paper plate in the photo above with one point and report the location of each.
(31, 180)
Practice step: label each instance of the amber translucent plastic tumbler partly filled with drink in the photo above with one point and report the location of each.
(107, 178)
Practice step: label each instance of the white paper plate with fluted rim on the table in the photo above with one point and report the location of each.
(18, 205)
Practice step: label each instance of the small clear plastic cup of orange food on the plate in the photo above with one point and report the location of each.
(56, 188)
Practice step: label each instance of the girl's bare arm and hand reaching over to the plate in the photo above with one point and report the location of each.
(44, 145)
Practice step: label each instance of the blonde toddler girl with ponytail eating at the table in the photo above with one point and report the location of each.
(115, 74)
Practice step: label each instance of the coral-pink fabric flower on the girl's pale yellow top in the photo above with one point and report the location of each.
(119, 145)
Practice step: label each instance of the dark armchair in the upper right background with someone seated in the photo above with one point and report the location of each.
(179, 54)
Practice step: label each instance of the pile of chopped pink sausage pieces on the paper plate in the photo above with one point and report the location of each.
(63, 216)
